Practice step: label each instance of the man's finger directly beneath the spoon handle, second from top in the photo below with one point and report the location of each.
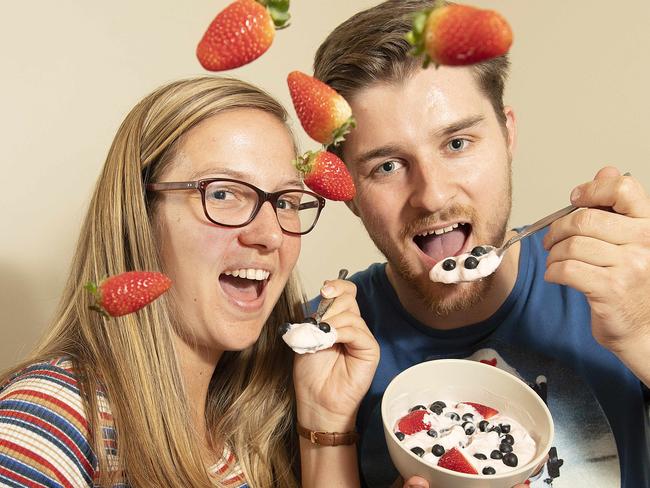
(598, 224)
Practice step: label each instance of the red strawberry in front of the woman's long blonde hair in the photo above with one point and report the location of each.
(128, 292)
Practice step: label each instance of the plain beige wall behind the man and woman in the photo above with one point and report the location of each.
(71, 69)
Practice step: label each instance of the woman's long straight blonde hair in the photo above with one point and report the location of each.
(250, 400)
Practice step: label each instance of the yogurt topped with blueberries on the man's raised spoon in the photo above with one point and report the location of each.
(482, 261)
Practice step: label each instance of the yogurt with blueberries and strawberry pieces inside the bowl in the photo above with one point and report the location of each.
(489, 442)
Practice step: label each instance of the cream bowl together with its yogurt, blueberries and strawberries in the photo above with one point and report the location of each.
(465, 424)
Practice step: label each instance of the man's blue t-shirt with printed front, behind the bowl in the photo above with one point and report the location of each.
(542, 334)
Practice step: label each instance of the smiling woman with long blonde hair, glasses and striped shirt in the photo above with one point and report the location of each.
(195, 390)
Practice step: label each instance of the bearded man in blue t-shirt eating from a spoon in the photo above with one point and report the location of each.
(566, 310)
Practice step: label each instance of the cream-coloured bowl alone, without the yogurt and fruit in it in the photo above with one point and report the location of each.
(467, 381)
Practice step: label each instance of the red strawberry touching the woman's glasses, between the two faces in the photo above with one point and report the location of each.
(327, 175)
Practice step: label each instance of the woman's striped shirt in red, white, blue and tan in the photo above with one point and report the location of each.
(45, 438)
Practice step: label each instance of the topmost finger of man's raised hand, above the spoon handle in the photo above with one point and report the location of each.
(624, 194)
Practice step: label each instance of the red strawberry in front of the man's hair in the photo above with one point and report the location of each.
(459, 35)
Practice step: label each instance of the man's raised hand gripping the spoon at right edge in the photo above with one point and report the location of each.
(603, 251)
